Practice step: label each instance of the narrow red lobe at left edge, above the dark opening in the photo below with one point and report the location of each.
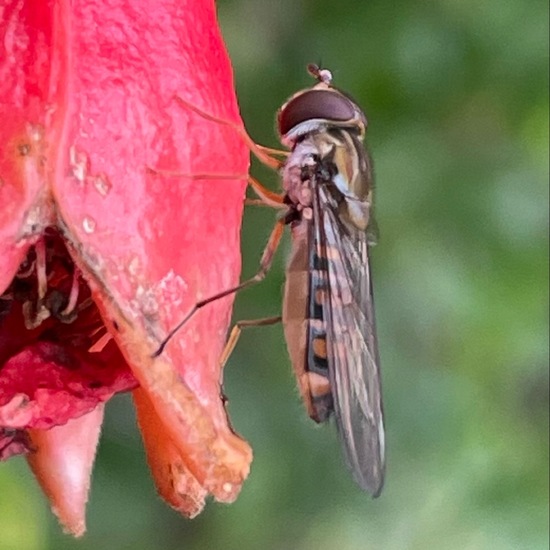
(26, 39)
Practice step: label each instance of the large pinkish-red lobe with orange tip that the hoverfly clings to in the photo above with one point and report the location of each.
(148, 244)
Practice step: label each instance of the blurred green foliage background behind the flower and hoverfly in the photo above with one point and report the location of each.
(456, 93)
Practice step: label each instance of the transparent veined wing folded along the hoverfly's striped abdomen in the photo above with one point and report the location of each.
(351, 341)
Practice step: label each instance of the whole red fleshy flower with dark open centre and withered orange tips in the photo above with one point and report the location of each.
(102, 251)
